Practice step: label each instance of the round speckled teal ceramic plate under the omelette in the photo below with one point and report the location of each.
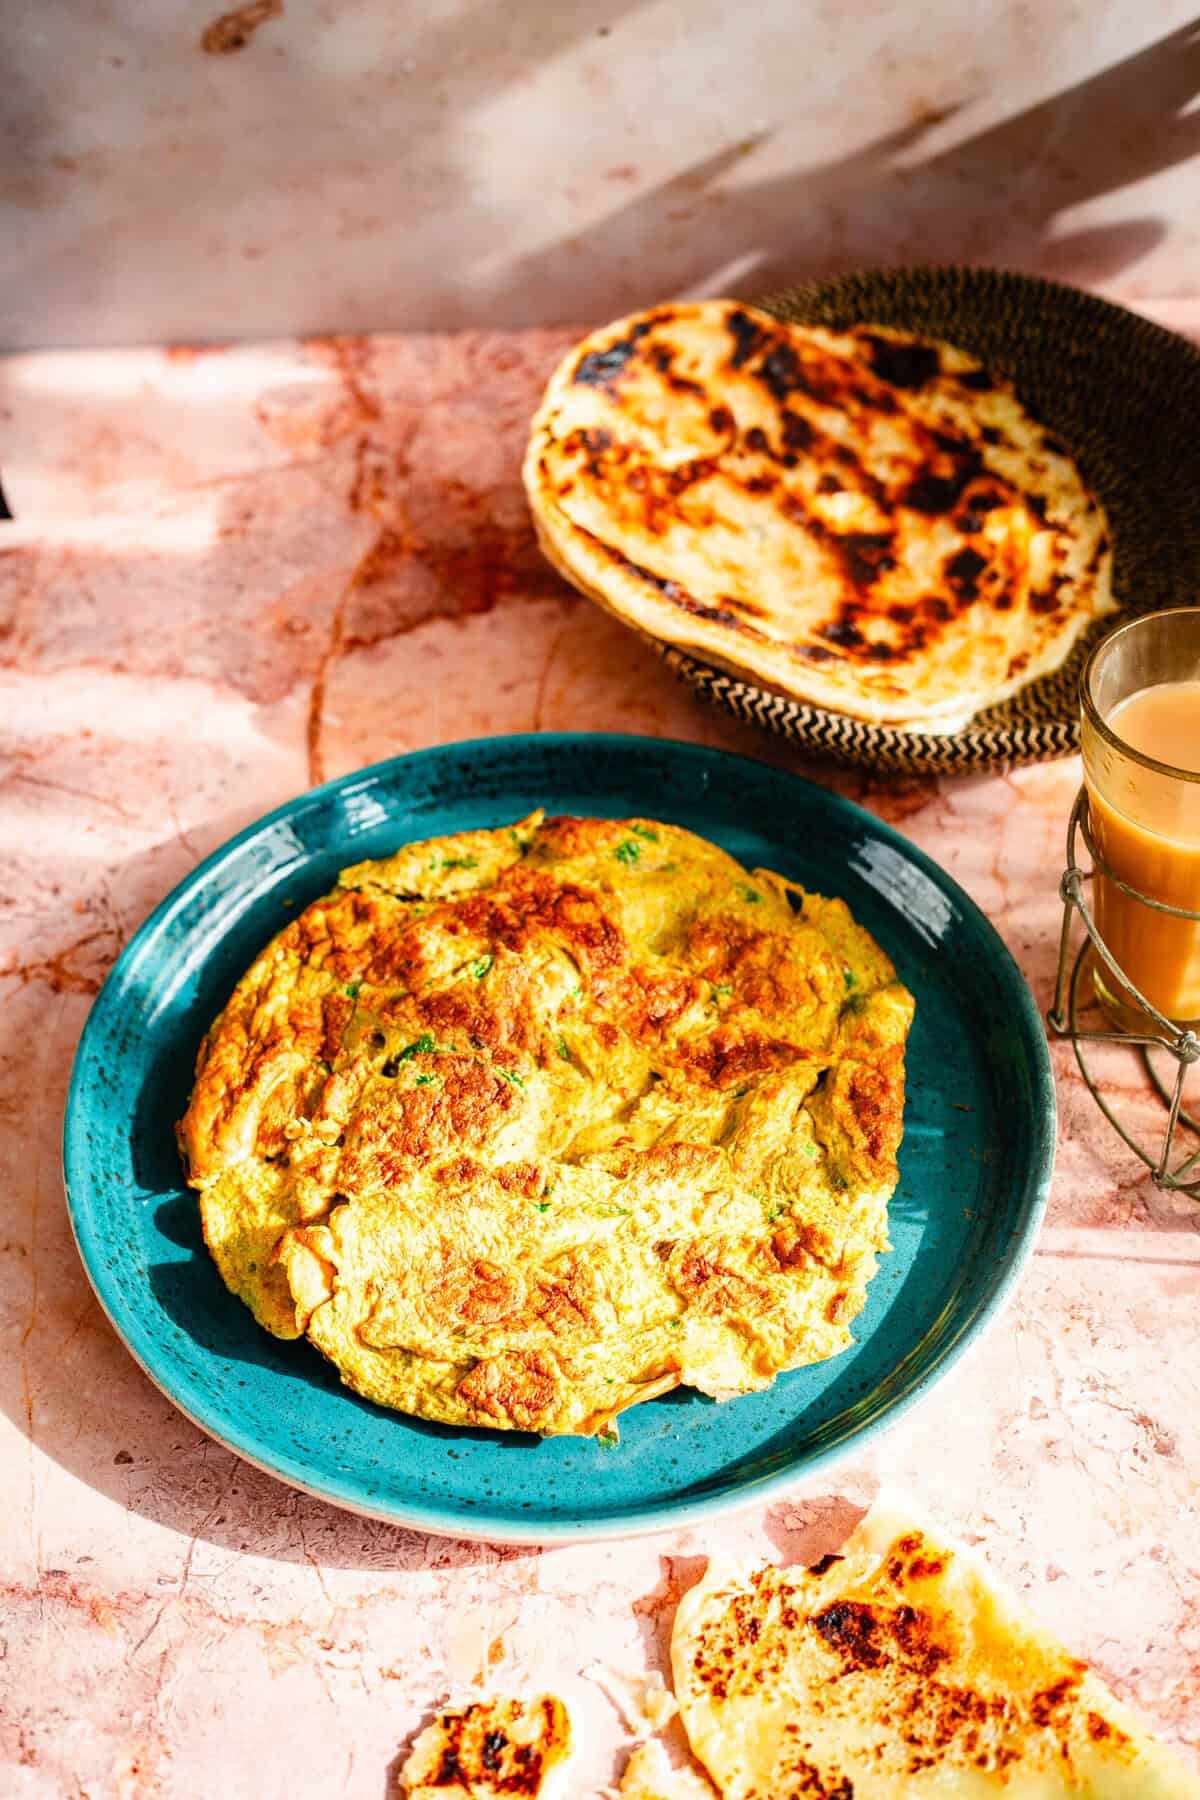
(974, 1169)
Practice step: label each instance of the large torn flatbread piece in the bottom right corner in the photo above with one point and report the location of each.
(897, 1671)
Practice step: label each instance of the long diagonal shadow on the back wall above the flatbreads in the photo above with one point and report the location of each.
(994, 197)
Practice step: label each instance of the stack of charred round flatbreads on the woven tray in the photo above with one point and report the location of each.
(868, 521)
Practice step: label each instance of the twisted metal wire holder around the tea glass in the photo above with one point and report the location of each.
(1064, 1018)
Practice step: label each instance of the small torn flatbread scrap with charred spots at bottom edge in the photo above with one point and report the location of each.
(492, 1749)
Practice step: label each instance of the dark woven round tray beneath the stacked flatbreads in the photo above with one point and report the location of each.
(1124, 393)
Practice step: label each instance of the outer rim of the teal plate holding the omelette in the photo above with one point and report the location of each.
(647, 1518)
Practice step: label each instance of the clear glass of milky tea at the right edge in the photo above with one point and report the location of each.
(1142, 762)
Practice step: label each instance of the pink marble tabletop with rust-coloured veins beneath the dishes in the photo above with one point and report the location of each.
(240, 573)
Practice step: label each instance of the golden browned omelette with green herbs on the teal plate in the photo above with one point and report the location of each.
(528, 1126)
